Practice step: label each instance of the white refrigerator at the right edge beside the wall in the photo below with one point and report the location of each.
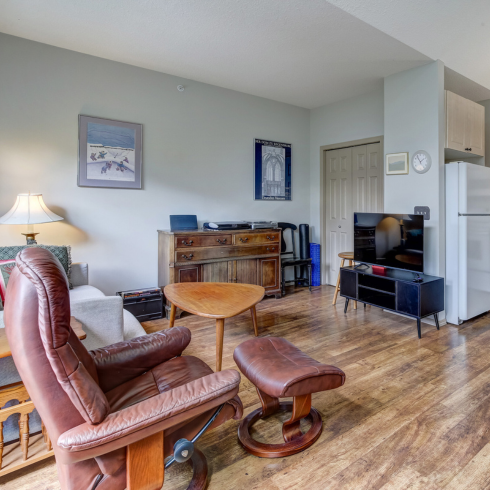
(467, 241)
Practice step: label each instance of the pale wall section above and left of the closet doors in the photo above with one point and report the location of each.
(347, 120)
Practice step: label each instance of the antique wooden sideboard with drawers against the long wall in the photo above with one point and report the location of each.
(241, 256)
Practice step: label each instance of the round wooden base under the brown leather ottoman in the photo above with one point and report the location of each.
(295, 440)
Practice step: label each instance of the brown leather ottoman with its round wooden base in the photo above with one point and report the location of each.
(278, 369)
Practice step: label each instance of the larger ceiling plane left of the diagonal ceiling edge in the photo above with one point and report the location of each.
(307, 54)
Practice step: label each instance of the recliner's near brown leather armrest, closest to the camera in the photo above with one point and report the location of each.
(148, 417)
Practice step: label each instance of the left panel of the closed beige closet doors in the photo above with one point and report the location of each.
(339, 213)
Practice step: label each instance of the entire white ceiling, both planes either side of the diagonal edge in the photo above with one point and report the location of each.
(306, 53)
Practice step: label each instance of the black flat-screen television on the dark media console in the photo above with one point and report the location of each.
(389, 240)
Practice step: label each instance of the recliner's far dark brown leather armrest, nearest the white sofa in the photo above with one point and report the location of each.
(118, 363)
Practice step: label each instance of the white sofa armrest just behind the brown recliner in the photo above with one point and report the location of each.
(101, 318)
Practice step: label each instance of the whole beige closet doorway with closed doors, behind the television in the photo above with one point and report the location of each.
(353, 175)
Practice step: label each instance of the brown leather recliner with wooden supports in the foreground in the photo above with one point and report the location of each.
(113, 414)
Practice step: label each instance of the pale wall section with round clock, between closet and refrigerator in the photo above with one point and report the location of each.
(414, 120)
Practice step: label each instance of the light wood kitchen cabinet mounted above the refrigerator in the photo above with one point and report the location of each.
(465, 125)
